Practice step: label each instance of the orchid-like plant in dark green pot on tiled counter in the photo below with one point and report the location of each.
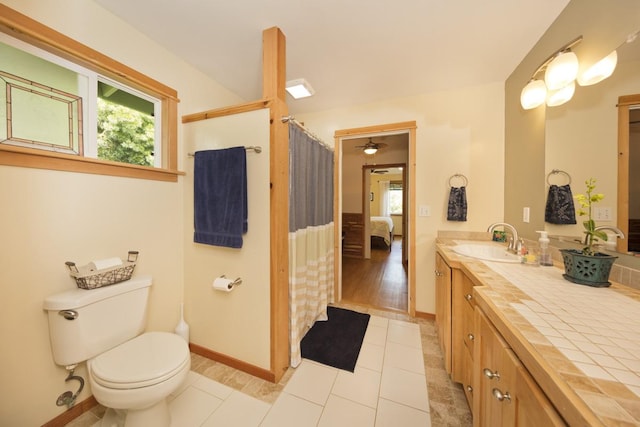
(588, 266)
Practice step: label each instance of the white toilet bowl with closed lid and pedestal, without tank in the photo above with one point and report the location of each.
(137, 376)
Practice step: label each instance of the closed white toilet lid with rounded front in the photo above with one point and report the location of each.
(145, 360)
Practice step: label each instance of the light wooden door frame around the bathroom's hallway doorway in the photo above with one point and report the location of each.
(376, 130)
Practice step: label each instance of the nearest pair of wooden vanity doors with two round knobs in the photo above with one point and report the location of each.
(505, 393)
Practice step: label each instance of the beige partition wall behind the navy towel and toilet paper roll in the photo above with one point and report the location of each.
(237, 323)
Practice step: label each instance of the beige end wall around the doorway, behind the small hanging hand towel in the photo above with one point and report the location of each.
(458, 131)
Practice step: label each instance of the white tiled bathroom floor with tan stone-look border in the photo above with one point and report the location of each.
(399, 380)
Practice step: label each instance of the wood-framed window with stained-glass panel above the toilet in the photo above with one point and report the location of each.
(79, 110)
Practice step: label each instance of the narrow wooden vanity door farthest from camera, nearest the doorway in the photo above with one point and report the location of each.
(443, 308)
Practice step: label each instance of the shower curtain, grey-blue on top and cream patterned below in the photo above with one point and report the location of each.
(311, 234)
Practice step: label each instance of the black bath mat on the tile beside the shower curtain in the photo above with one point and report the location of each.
(337, 341)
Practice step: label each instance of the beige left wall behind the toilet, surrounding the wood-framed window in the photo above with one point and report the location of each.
(49, 217)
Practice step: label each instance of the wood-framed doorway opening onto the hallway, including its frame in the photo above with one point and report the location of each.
(380, 270)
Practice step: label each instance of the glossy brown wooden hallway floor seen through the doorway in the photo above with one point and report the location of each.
(379, 282)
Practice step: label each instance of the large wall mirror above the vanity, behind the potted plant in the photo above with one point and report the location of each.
(581, 139)
